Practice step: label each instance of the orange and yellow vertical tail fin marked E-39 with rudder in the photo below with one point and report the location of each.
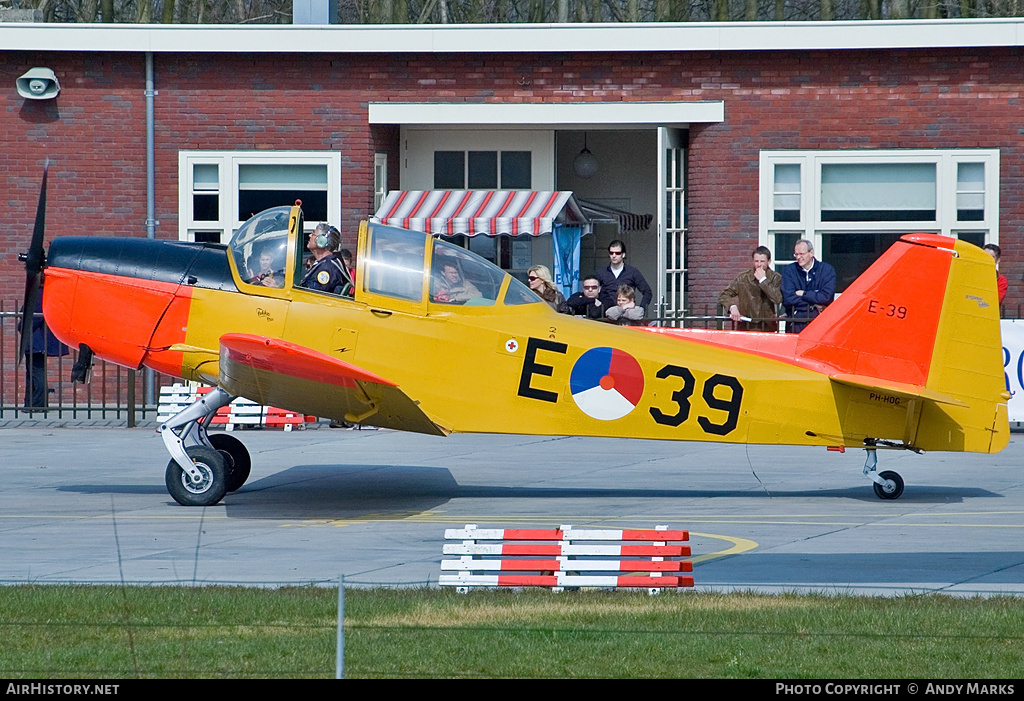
(924, 320)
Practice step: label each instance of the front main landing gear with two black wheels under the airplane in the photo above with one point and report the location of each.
(203, 468)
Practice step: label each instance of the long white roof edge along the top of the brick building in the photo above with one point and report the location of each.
(736, 36)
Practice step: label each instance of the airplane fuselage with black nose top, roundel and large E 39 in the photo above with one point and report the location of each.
(496, 369)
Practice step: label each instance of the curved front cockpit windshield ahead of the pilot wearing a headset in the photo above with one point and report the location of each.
(261, 248)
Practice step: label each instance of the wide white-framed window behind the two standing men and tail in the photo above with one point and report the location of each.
(854, 205)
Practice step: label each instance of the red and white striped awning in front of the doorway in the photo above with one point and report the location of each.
(472, 213)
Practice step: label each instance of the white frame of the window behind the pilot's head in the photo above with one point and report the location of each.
(228, 170)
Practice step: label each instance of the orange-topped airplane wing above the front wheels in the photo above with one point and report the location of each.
(277, 373)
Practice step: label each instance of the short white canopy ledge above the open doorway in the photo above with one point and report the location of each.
(560, 114)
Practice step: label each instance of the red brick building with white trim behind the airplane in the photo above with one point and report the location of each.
(731, 136)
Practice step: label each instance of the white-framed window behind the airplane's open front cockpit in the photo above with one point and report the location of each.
(220, 191)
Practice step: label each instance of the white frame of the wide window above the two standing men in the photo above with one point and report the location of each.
(812, 228)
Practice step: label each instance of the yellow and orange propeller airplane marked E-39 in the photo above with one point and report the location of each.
(909, 358)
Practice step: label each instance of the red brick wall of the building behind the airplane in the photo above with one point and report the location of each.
(95, 132)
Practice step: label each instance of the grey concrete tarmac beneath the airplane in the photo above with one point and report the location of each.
(89, 505)
